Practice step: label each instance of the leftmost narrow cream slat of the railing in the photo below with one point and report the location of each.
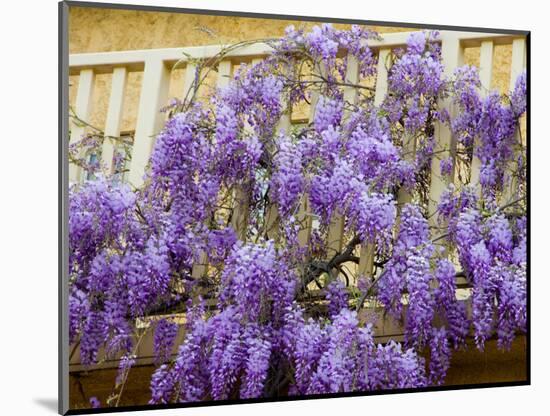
(83, 109)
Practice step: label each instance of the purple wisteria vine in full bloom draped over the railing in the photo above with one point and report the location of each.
(267, 314)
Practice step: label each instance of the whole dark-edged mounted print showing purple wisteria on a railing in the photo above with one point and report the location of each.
(267, 208)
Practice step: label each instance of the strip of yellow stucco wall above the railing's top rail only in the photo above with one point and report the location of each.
(101, 30)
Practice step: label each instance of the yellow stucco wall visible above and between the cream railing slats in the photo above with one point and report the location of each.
(101, 30)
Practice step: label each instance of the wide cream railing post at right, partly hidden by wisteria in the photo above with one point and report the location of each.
(452, 54)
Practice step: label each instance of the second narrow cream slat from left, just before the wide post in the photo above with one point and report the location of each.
(114, 116)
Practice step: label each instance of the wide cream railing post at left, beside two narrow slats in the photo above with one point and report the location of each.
(154, 93)
